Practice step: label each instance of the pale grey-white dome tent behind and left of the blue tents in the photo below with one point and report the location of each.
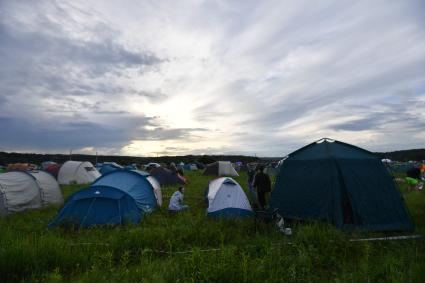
(77, 172)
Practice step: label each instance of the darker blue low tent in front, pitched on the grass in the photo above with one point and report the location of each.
(99, 205)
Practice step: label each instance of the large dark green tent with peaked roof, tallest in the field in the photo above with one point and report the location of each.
(340, 183)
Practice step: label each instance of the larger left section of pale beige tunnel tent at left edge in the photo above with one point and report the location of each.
(18, 191)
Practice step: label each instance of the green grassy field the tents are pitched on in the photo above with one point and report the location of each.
(192, 248)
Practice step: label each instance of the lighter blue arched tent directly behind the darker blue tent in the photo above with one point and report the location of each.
(135, 184)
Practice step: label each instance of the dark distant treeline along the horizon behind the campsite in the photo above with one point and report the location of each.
(13, 157)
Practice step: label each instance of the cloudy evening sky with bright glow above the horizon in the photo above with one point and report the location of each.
(152, 78)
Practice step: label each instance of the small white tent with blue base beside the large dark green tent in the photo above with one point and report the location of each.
(227, 198)
